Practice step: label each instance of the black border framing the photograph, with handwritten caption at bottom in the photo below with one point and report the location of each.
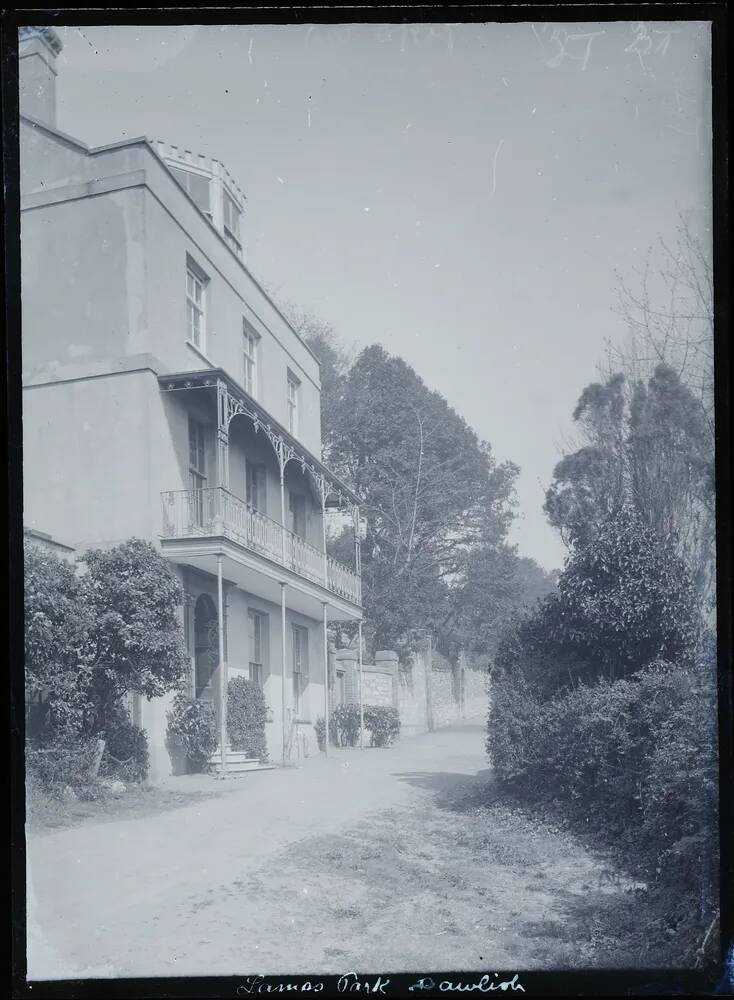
(716, 980)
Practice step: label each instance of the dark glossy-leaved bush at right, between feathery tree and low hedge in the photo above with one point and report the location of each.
(624, 600)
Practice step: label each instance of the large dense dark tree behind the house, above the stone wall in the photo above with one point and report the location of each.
(428, 488)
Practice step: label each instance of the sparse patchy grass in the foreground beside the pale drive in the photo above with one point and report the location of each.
(434, 887)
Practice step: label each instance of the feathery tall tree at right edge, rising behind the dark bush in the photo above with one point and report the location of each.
(644, 444)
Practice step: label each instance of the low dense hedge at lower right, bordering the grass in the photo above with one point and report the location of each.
(634, 761)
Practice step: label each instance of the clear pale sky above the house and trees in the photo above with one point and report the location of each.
(462, 194)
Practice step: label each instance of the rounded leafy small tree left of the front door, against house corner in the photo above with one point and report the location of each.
(136, 640)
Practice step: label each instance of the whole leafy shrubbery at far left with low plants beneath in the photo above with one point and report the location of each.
(92, 637)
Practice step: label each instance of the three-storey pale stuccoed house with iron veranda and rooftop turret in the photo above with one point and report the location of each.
(166, 397)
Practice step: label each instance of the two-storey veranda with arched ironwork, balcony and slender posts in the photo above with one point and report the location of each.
(249, 537)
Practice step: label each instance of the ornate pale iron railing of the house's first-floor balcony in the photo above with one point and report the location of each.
(217, 512)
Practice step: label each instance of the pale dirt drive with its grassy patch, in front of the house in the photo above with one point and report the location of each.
(368, 860)
